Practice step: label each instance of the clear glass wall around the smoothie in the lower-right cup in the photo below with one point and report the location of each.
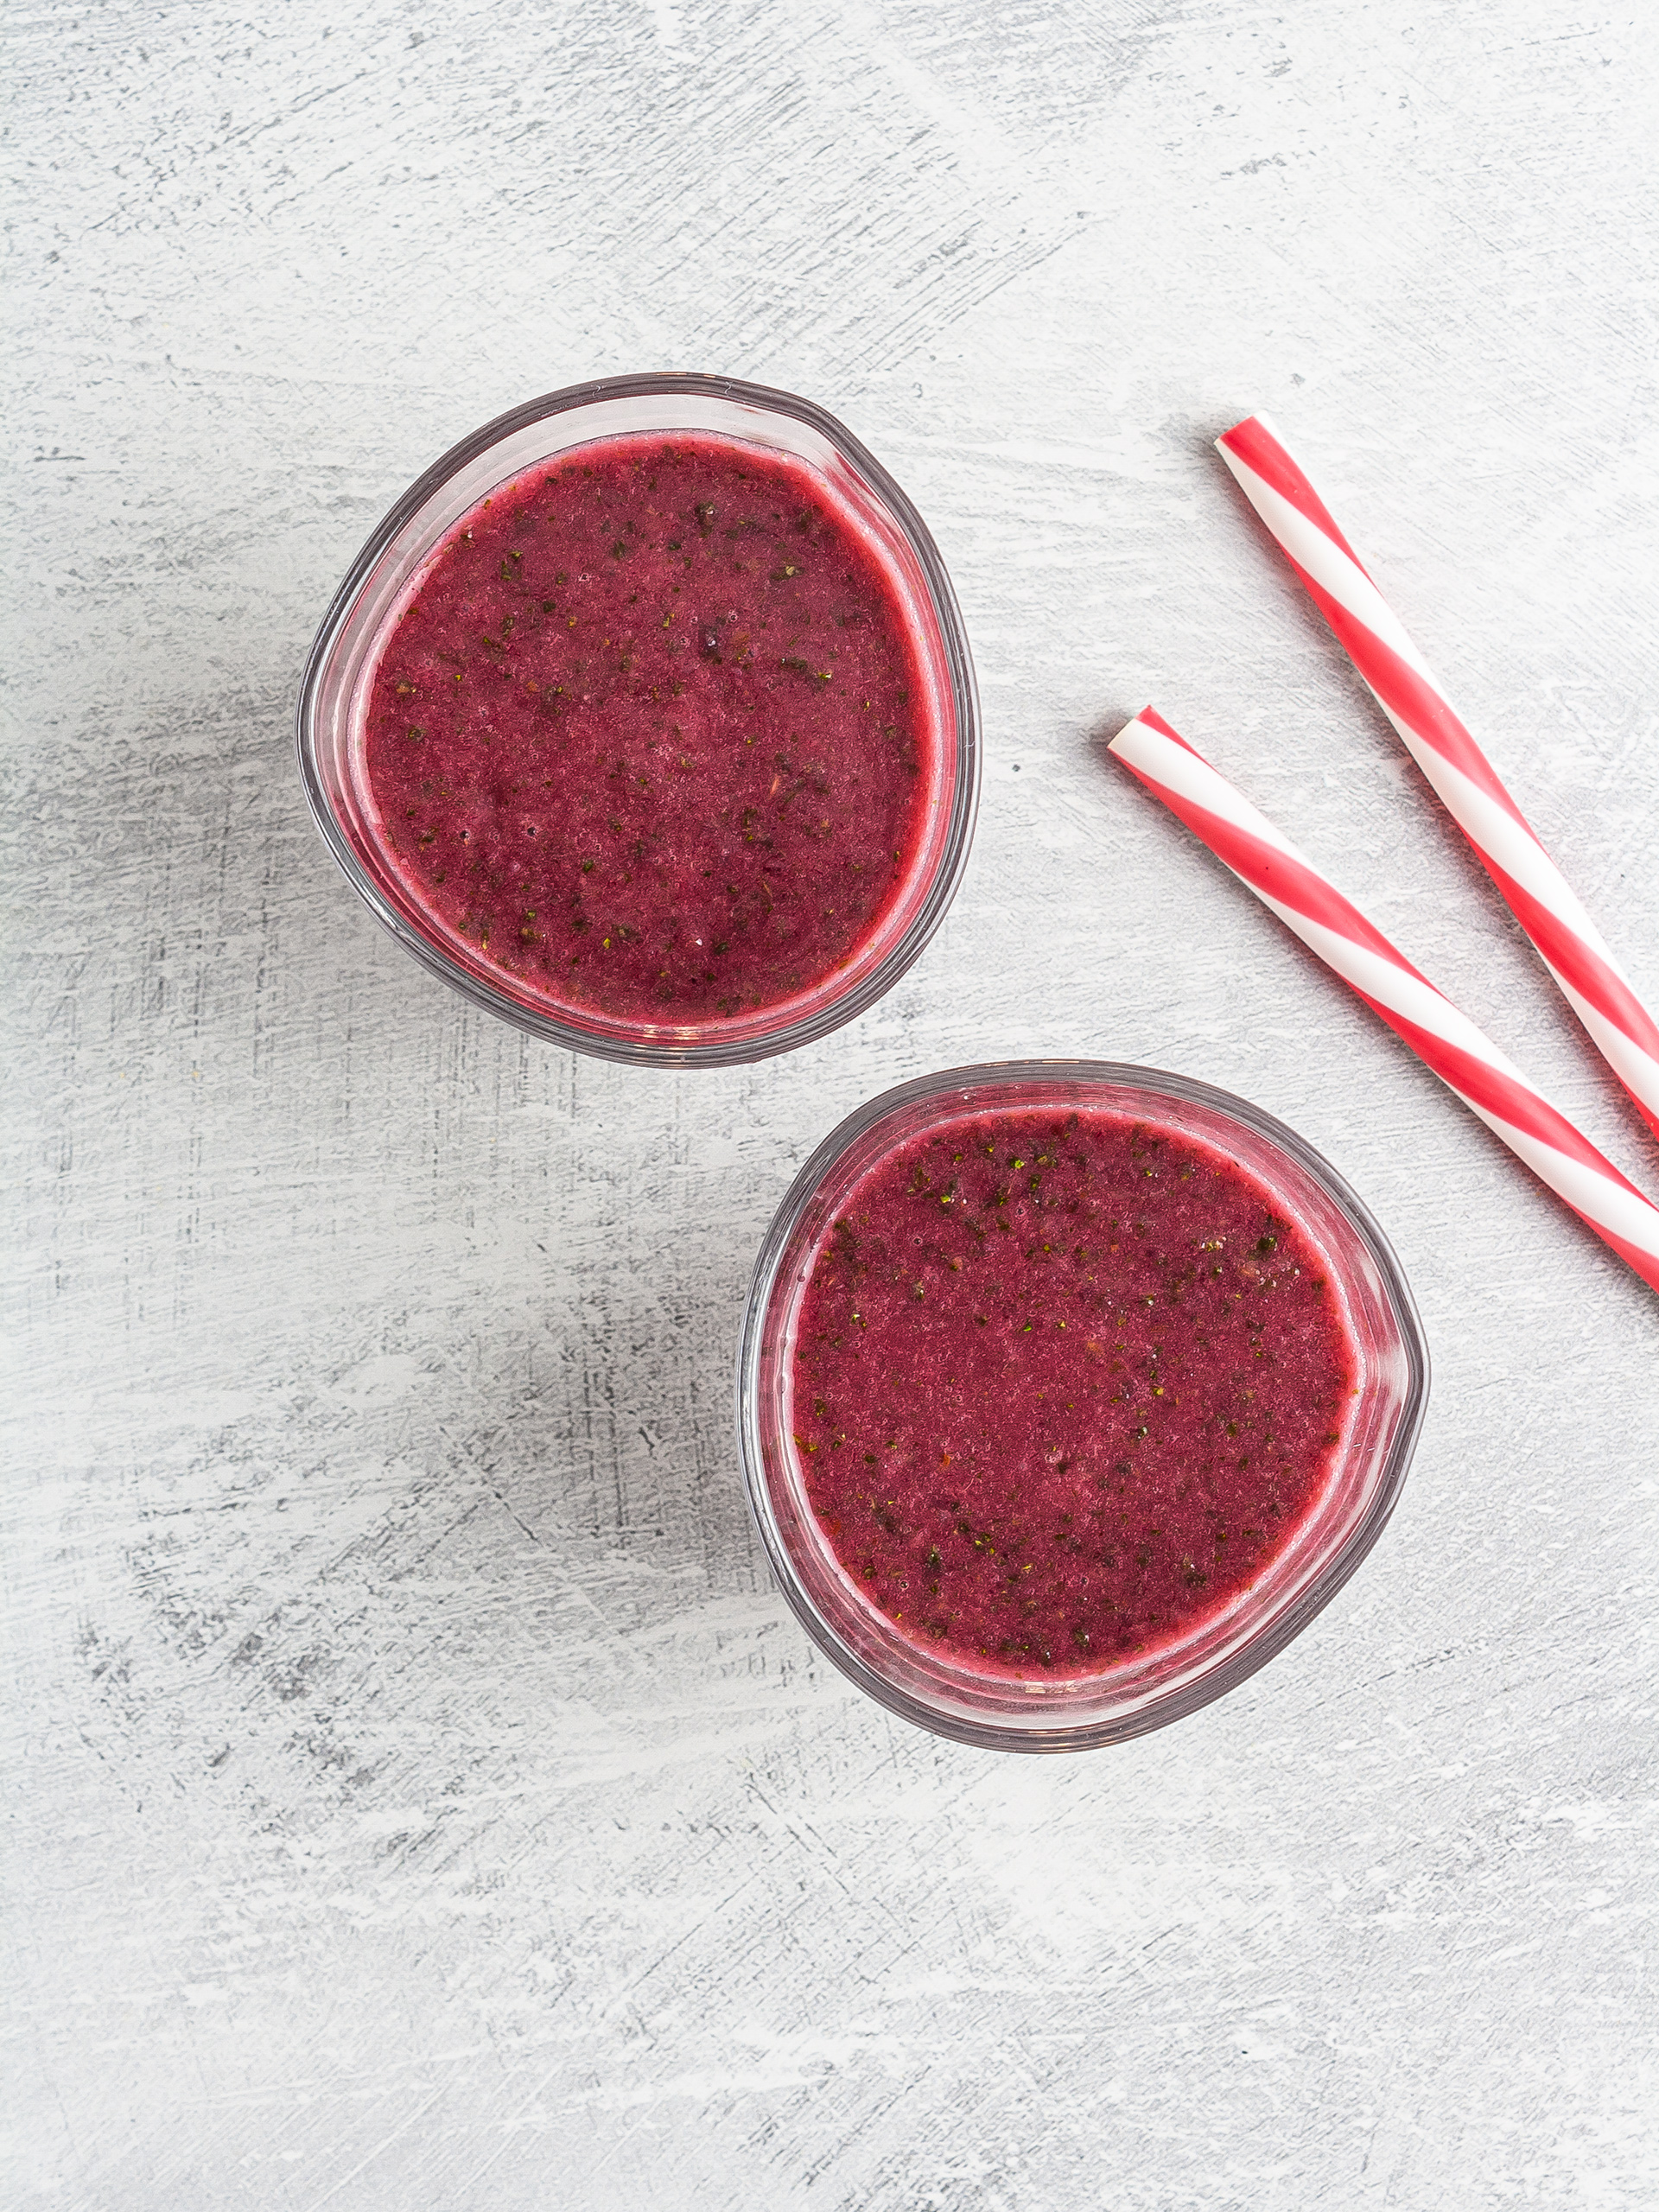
(1173, 1680)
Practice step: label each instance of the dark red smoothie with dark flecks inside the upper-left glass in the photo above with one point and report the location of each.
(651, 733)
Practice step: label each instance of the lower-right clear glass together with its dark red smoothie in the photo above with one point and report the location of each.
(1070, 1395)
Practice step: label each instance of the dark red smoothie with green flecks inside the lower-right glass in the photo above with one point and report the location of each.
(1063, 1384)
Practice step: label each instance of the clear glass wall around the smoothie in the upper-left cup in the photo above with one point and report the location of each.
(340, 674)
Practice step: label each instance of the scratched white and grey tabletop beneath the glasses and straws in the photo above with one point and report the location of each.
(417, 1795)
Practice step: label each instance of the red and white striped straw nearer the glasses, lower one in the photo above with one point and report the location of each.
(1443, 1039)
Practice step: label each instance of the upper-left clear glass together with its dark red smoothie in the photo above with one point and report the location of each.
(647, 720)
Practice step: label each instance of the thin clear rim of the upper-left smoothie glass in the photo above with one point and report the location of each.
(556, 1027)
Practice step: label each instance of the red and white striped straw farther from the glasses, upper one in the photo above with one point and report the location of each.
(1448, 755)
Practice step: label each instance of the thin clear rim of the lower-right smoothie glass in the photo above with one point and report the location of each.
(1277, 1629)
